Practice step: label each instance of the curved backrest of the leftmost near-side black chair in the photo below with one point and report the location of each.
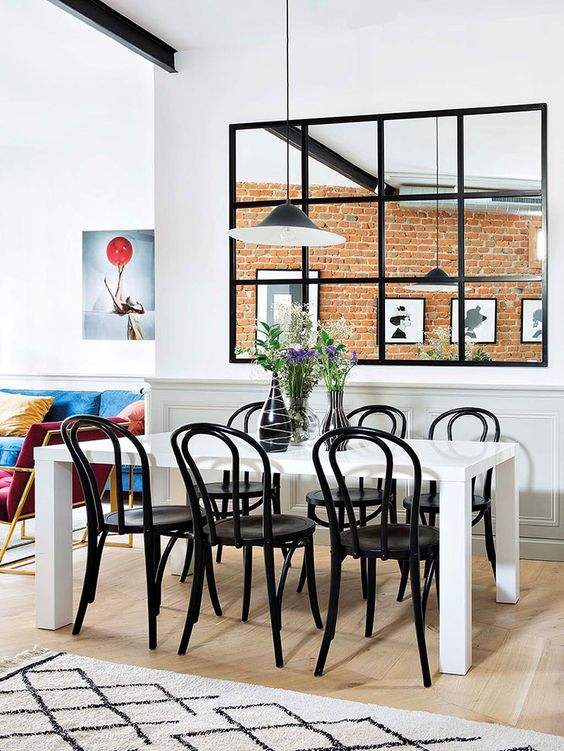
(94, 511)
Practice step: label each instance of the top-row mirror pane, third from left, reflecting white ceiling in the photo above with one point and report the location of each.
(410, 154)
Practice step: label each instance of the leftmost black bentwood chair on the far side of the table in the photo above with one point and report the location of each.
(222, 492)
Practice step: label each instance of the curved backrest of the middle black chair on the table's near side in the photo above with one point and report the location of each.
(196, 487)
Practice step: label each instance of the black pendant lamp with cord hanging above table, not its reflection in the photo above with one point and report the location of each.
(286, 224)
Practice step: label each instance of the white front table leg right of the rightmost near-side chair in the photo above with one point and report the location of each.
(456, 577)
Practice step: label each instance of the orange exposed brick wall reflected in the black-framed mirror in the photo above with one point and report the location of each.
(496, 243)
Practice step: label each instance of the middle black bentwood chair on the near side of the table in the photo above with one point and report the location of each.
(267, 530)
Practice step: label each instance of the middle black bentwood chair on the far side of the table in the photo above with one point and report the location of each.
(362, 498)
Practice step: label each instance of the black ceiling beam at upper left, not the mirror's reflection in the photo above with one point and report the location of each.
(107, 20)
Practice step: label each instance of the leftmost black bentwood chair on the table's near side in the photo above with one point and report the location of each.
(153, 522)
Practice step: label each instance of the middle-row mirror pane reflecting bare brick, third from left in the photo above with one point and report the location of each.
(411, 237)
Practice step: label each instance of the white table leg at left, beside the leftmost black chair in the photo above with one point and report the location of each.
(53, 532)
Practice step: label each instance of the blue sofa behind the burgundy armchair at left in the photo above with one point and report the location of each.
(104, 403)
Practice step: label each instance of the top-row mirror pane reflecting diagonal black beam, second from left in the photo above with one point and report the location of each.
(343, 159)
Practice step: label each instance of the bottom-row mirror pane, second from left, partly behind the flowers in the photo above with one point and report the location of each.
(357, 304)
